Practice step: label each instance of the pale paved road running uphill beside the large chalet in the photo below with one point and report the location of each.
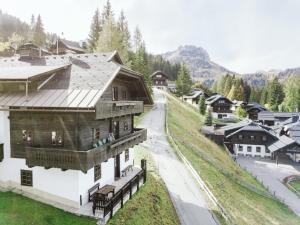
(186, 195)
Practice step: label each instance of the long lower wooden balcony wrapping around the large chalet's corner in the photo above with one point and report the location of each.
(81, 160)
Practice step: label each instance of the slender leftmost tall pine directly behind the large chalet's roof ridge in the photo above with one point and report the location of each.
(94, 32)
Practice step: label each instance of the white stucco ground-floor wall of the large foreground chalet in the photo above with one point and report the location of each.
(54, 184)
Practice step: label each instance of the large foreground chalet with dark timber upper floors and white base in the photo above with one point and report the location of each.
(67, 123)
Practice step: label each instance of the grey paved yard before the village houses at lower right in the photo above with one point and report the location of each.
(272, 175)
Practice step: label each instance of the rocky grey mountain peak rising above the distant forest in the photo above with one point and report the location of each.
(198, 61)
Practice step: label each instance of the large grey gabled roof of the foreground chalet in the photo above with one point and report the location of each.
(81, 85)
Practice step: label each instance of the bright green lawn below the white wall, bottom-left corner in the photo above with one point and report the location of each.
(16, 209)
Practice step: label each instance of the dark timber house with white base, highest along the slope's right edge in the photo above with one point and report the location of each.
(220, 106)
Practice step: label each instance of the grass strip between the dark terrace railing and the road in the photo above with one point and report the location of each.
(152, 204)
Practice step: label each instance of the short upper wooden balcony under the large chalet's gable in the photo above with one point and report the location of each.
(108, 109)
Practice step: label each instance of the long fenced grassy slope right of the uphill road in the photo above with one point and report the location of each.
(242, 196)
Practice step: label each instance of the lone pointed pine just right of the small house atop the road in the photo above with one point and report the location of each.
(183, 82)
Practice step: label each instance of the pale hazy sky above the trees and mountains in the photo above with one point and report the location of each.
(242, 35)
